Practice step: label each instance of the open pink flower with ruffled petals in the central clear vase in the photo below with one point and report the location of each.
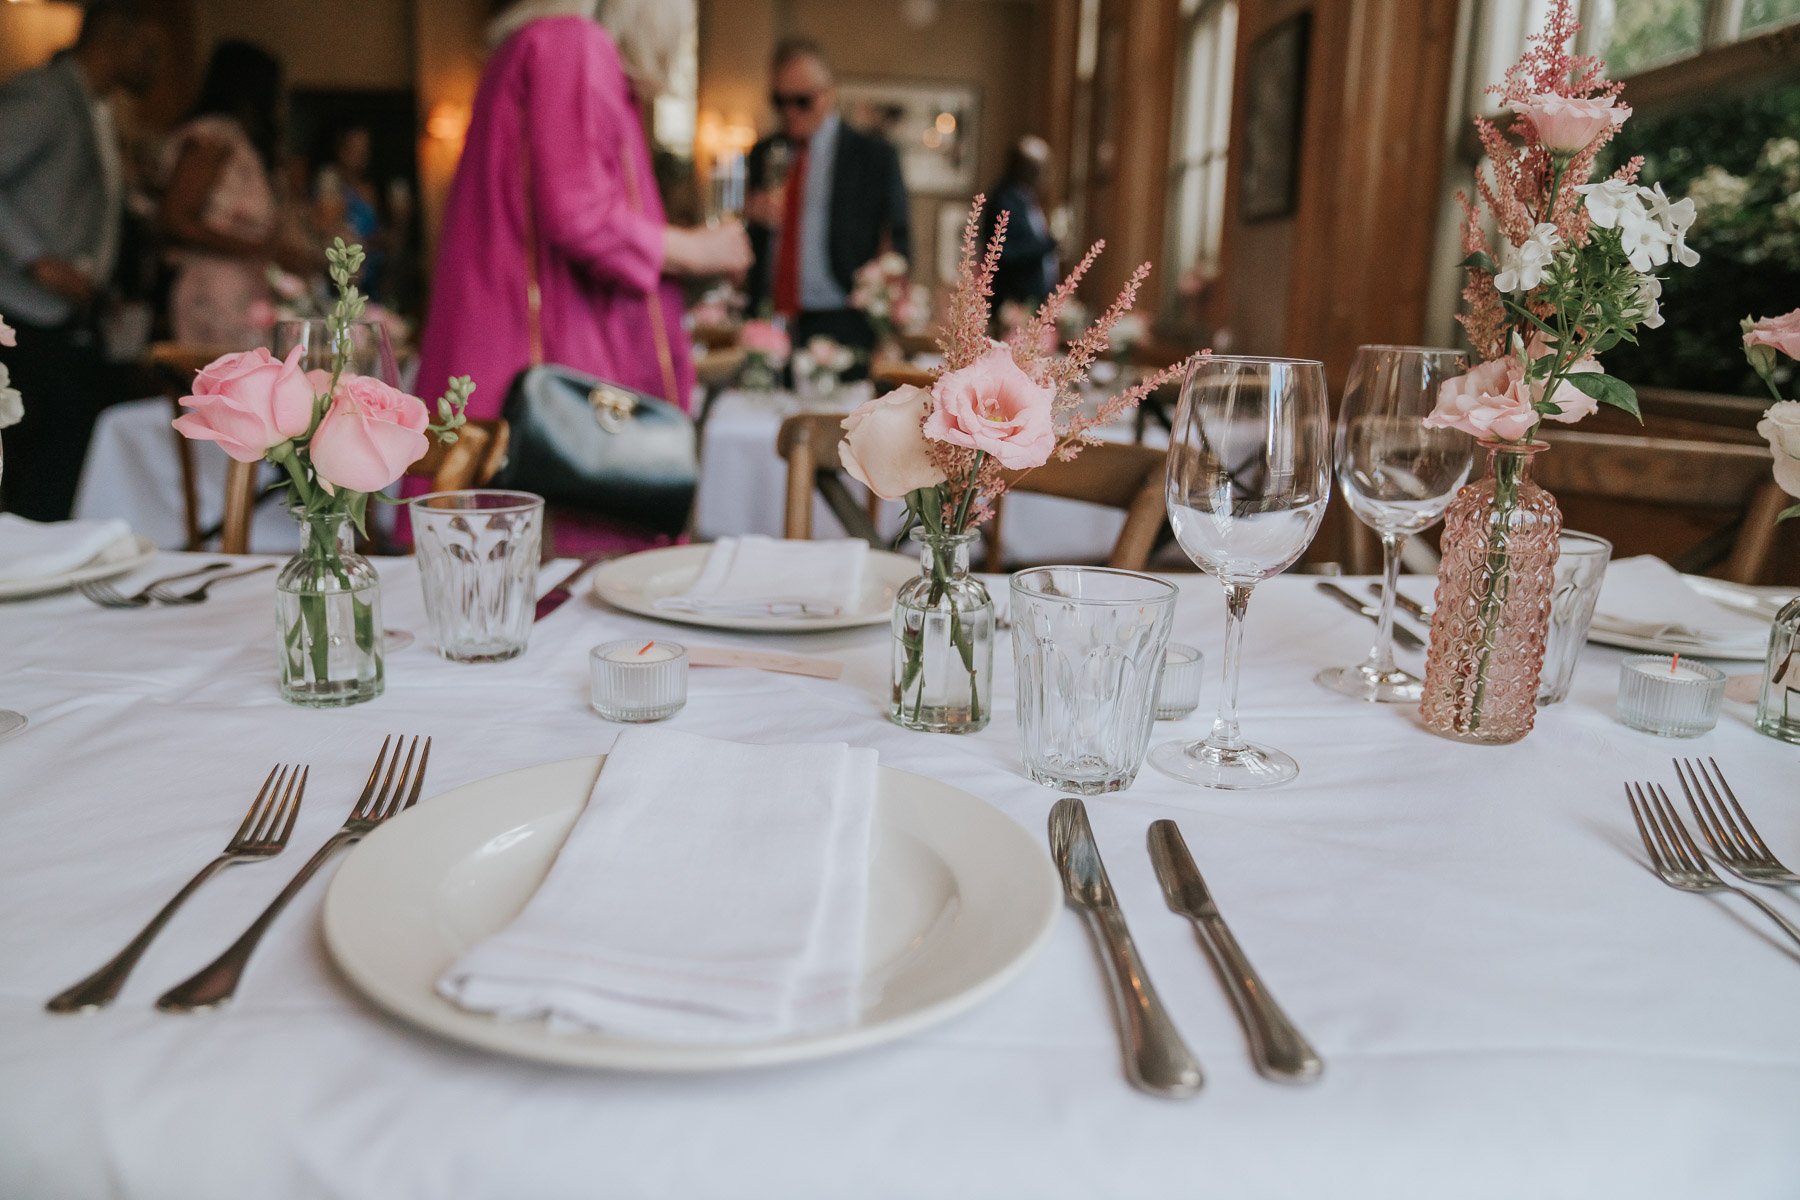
(993, 406)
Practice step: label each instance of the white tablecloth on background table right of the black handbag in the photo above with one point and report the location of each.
(744, 490)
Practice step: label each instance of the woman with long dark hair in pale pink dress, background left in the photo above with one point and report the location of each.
(222, 217)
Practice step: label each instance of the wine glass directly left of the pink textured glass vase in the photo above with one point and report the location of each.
(1398, 478)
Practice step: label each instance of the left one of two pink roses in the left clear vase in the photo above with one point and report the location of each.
(249, 404)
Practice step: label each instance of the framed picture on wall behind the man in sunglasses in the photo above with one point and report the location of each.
(933, 125)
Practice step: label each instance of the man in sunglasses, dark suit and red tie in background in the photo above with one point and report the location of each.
(825, 201)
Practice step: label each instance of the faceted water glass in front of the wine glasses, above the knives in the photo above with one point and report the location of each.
(1090, 647)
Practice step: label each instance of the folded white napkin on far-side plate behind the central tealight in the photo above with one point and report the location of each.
(759, 577)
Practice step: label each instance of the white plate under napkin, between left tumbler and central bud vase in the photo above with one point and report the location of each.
(638, 582)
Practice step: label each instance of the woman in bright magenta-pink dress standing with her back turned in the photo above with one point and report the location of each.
(559, 127)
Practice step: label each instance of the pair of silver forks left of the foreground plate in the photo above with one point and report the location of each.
(393, 787)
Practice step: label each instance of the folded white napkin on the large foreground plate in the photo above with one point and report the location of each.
(712, 891)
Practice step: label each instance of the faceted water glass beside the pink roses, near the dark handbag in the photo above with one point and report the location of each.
(480, 568)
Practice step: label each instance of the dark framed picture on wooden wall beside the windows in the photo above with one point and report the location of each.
(1273, 121)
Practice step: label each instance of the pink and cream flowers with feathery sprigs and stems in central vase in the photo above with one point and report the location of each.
(994, 413)
